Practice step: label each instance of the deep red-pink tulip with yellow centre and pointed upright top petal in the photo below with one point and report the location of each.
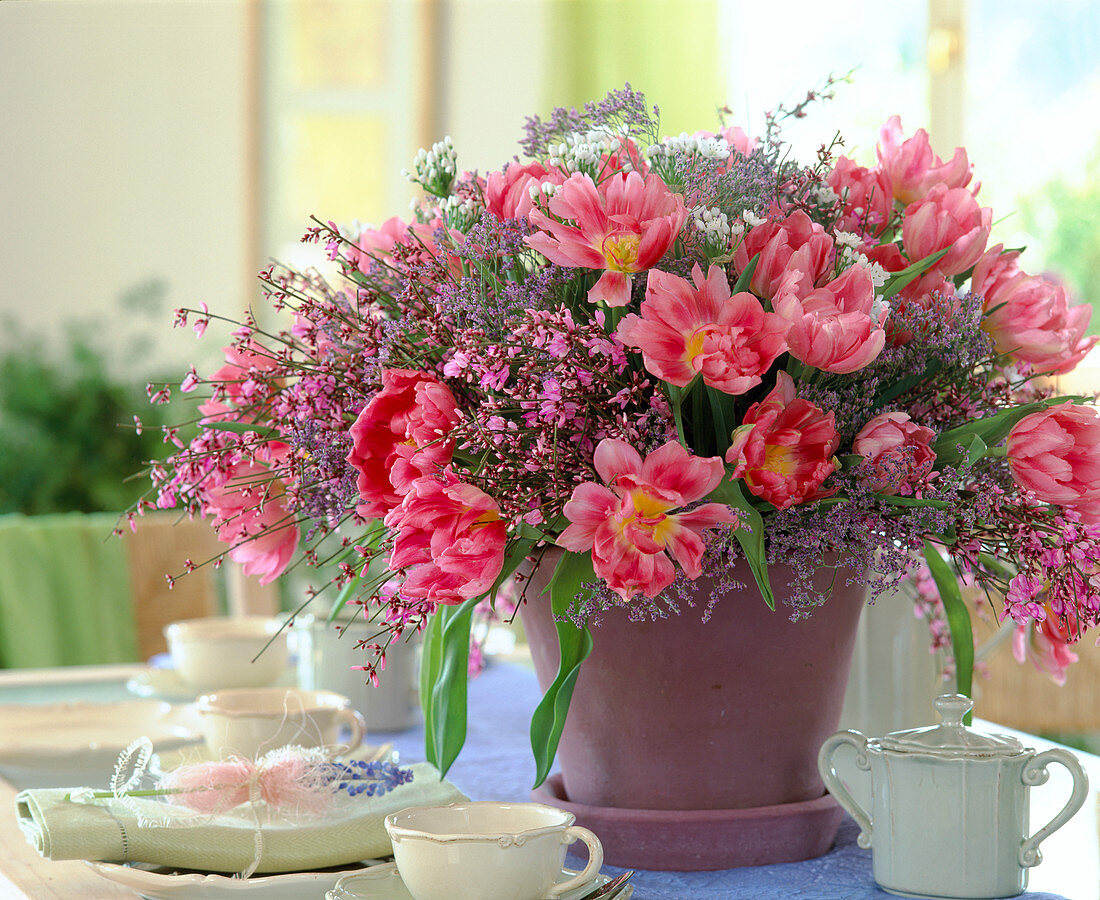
(785, 449)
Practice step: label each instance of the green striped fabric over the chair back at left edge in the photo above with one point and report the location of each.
(65, 596)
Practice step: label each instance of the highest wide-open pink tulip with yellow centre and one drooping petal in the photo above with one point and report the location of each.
(625, 226)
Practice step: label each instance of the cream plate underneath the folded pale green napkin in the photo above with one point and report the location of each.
(163, 884)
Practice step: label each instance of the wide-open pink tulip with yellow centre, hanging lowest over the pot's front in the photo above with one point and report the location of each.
(630, 526)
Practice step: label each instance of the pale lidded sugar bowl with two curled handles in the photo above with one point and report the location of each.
(950, 807)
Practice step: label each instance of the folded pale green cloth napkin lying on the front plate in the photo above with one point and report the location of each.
(107, 831)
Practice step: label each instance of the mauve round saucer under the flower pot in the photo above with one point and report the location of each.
(707, 840)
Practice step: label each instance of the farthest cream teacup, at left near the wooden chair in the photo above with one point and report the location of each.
(244, 652)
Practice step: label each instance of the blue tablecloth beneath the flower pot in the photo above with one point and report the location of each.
(497, 764)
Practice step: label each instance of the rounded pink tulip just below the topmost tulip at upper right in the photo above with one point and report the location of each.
(947, 218)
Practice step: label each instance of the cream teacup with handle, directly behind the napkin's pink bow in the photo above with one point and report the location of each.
(252, 721)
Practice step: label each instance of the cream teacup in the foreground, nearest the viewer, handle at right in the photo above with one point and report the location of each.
(489, 851)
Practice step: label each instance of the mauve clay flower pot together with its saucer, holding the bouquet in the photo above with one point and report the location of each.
(711, 728)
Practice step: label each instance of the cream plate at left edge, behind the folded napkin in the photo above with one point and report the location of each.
(61, 745)
